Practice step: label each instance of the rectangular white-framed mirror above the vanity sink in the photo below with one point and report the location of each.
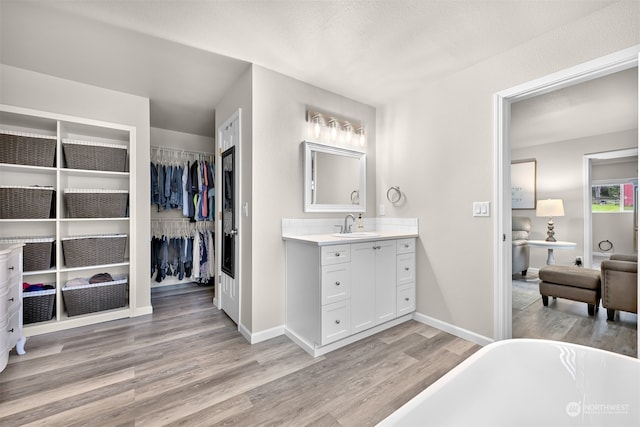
(334, 179)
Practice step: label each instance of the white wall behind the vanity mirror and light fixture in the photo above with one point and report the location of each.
(279, 127)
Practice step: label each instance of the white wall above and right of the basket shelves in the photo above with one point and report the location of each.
(37, 91)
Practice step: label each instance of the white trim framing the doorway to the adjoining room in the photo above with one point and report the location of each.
(599, 67)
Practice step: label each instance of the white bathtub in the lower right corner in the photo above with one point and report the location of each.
(524, 382)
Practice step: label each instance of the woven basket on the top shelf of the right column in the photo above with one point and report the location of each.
(94, 155)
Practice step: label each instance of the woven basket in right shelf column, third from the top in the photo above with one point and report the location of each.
(80, 251)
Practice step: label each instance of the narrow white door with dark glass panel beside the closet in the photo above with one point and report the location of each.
(228, 193)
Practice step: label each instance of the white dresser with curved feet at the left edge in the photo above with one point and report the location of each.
(10, 301)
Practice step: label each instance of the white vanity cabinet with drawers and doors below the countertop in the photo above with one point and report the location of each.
(340, 292)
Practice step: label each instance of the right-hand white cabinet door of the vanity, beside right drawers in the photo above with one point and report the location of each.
(385, 281)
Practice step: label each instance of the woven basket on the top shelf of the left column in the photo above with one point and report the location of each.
(27, 149)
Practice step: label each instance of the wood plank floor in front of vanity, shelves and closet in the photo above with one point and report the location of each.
(186, 364)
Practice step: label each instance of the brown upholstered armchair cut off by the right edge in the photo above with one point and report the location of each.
(619, 278)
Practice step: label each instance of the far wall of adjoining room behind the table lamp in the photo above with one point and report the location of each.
(560, 176)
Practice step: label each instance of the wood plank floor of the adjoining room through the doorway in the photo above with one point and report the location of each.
(568, 321)
